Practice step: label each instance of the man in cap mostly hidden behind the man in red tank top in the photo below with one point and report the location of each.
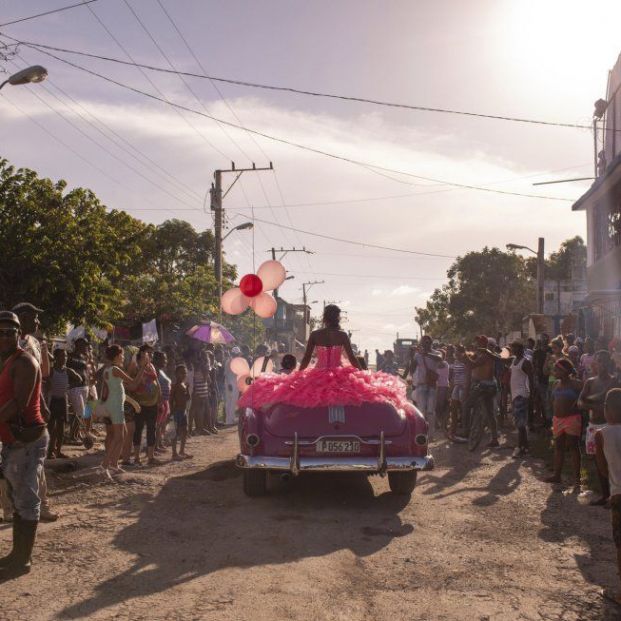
(28, 315)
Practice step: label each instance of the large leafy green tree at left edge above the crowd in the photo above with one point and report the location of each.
(63, 250)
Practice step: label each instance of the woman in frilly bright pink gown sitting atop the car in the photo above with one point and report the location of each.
(329, 382)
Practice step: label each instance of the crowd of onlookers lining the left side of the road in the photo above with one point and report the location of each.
(148, 400)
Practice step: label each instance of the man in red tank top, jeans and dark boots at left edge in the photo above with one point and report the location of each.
(24, 437)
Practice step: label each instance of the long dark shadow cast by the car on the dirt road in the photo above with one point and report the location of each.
(201, 523)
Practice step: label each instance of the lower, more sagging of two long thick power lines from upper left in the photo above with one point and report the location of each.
(298, 145)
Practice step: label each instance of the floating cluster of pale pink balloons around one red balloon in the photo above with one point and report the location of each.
(252, 291)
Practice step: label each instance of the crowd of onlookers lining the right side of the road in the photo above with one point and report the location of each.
(567, 388)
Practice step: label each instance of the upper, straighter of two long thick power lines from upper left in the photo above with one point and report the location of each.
(297, 91)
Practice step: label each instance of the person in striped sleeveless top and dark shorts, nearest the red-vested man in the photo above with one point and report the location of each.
(61, 379)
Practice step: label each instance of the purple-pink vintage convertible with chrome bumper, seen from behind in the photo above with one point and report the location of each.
(375, 438)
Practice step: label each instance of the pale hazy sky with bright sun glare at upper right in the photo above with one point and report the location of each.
(545, 60)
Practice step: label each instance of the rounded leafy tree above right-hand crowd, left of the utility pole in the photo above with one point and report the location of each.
(487, 292)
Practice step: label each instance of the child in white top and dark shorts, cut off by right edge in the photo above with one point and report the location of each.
(608, 455)
